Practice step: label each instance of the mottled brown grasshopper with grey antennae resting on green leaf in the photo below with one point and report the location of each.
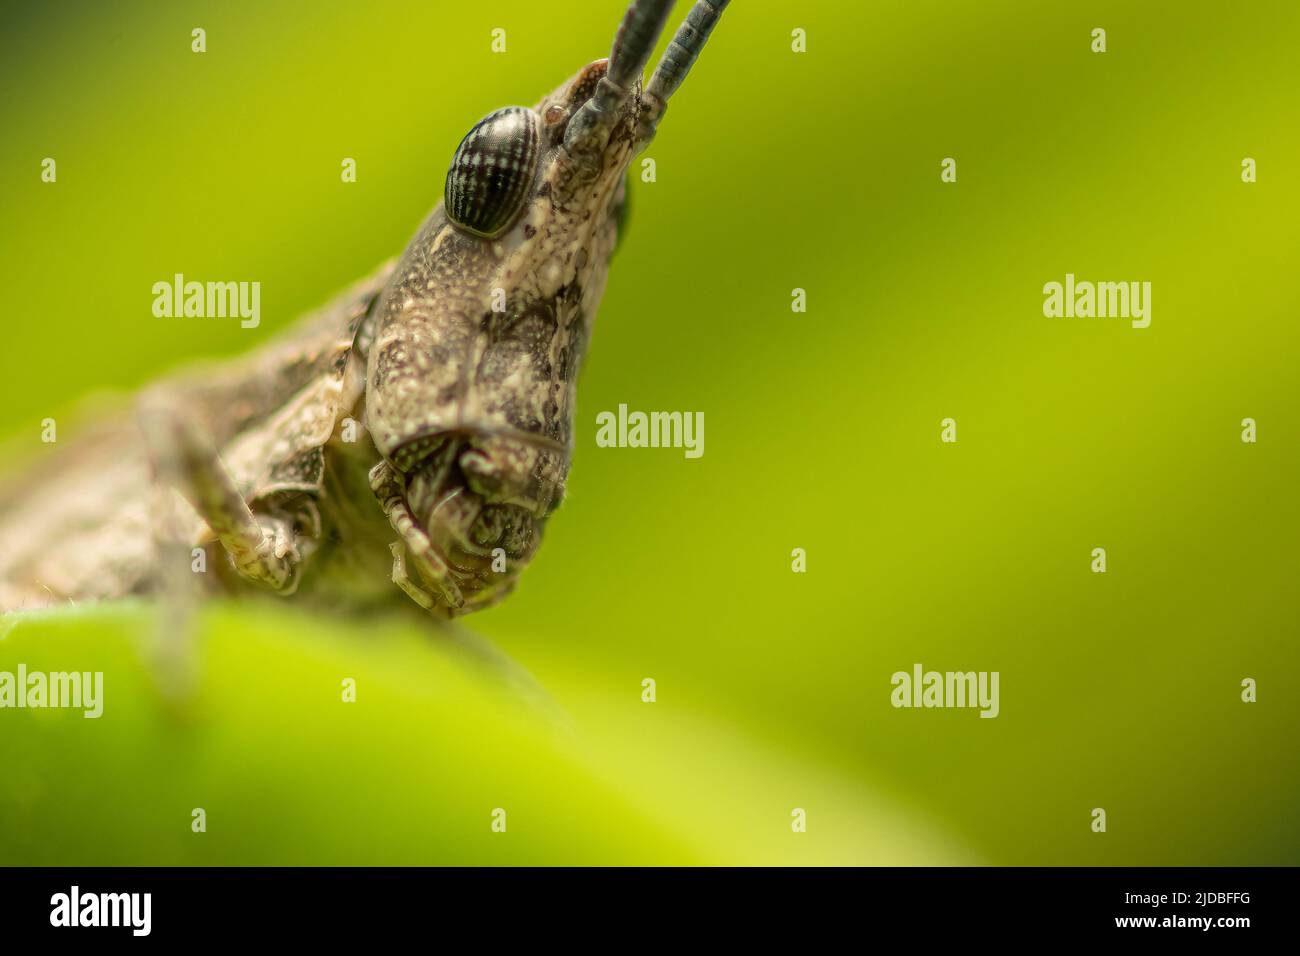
(461, 360)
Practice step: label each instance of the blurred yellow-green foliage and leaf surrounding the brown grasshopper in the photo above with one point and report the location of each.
(775, 171)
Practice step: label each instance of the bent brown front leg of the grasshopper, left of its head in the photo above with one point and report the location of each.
(263, 548)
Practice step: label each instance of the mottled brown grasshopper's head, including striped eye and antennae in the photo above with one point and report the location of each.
(480, 334)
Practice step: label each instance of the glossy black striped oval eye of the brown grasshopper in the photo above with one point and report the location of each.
(492, 172)
